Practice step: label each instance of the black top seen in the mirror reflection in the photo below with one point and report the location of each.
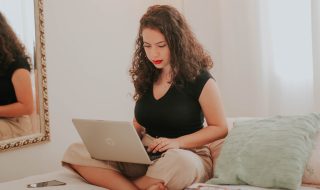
(7, 93)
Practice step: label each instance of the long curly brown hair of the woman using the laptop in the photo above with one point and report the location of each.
(187, 56)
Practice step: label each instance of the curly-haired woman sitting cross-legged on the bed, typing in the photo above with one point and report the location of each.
(174, 92)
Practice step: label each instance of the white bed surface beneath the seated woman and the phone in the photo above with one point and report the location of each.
(74, 182)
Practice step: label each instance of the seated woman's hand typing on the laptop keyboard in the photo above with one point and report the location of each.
(162, 144)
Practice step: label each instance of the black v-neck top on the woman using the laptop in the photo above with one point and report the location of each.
(176, 113)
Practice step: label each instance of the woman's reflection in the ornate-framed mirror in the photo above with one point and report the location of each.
(16, 99)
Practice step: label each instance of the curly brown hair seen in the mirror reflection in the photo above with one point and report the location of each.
(10, 46)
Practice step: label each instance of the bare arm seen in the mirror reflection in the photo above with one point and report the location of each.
(22, 85)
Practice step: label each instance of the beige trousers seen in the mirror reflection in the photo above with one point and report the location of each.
(15, 127)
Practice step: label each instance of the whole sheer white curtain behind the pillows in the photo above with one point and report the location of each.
(267, 56)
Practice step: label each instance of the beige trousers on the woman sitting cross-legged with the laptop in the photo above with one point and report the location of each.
(178, 168)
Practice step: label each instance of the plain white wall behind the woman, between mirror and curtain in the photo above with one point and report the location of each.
(89, 45)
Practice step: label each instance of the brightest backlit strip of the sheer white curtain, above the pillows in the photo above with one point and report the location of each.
(286, 36)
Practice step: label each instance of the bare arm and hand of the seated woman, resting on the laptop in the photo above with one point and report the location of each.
(211, 105)
